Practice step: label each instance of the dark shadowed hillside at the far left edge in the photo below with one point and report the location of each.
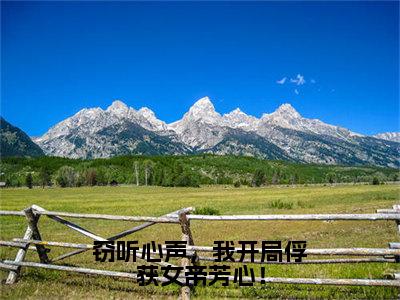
(15, 142)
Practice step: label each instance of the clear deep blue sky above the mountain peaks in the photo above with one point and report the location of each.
(58, 57)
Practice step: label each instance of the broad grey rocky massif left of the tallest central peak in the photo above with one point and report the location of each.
(97, 133)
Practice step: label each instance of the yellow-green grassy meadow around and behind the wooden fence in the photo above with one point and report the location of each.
(156, 201)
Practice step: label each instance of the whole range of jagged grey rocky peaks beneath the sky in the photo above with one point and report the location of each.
(283, 134)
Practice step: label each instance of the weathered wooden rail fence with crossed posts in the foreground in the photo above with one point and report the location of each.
(32, 240)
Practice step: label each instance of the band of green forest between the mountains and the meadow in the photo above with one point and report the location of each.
(180, 171)
